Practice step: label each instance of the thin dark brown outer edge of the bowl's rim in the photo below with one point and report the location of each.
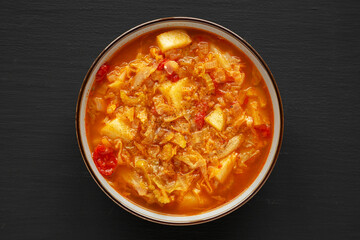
(169, 19)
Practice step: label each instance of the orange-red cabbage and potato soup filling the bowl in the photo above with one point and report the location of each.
(179, 121)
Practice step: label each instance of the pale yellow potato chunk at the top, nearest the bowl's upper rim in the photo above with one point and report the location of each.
(173, 39)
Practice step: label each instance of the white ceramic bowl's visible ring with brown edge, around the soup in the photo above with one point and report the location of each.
(254, 57)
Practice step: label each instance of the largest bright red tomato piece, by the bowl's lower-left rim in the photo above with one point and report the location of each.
(105, 160)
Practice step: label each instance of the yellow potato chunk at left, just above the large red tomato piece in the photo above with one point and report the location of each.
(118, 129)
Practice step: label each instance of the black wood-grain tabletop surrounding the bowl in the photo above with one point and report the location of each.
(312, 48)
